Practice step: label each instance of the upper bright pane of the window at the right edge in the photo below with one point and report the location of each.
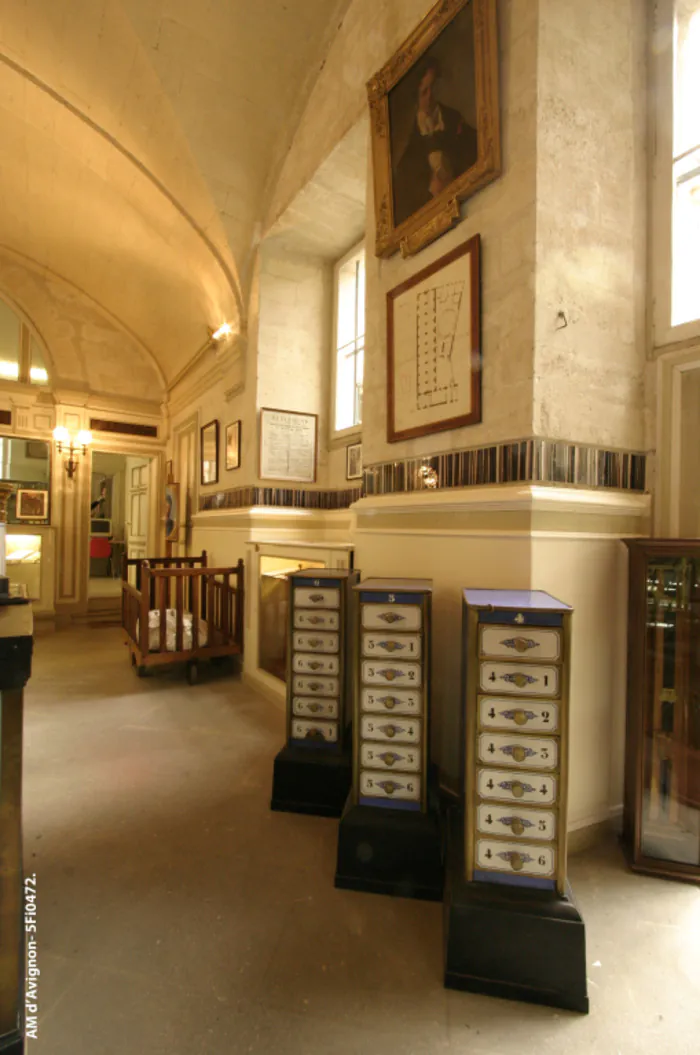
(687, 91)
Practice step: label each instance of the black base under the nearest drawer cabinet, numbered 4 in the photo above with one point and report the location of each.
(522, 947)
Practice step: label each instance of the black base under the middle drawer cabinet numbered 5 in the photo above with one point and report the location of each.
(391, 852)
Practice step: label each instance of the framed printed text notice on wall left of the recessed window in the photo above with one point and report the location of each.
(288, 446)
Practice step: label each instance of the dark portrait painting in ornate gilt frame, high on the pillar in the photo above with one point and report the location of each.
(436, 124)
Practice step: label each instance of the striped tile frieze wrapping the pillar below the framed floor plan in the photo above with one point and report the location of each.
(522, 462)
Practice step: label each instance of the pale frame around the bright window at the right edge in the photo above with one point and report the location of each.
(664, 190)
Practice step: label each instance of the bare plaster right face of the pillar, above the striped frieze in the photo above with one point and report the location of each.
(592, 162)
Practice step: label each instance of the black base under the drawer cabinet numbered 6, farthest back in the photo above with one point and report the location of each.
(307, 781)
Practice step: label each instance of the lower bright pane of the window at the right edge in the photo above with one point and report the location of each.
(687, 240)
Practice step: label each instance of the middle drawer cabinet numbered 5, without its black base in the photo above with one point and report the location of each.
(393, 686)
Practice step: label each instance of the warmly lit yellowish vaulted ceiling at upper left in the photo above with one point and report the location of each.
(140, 143)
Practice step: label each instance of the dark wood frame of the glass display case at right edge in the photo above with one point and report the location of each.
(641, 551)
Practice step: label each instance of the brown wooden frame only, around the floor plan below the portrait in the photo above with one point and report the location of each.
(473, 248)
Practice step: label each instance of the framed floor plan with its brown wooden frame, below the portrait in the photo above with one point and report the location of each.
(434, 348)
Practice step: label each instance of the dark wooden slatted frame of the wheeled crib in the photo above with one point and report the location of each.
(187, 585)
